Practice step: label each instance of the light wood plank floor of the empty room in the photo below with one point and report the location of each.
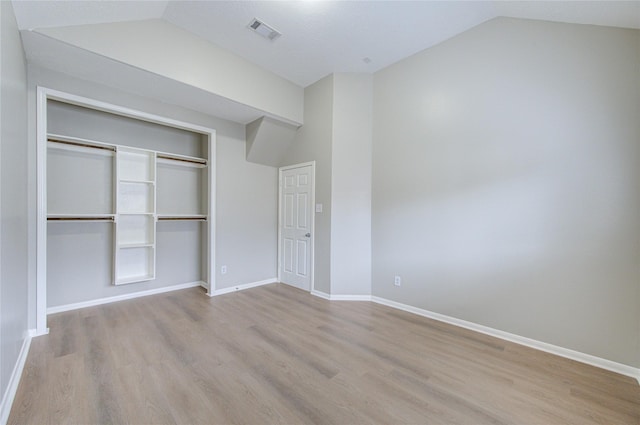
(275, 354)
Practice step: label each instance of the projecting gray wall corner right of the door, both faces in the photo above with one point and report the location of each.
(337, 135)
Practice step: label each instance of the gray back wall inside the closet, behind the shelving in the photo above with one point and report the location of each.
(80, 254)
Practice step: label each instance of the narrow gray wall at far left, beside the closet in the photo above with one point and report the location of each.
(13, 195)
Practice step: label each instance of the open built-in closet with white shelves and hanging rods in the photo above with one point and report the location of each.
(127, 205)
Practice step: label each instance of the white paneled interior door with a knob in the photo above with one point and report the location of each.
(296, 226)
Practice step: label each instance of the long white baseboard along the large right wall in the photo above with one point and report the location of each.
(538, 345)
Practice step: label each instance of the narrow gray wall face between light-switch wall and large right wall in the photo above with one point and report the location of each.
(351, 184)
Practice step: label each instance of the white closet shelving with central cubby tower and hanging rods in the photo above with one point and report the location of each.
(126, 180)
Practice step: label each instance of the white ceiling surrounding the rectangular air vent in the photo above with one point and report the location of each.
(322, 37)
